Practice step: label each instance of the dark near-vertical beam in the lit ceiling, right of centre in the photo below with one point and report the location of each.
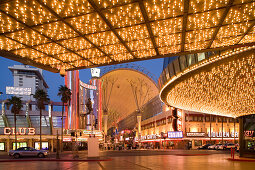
(184, 24)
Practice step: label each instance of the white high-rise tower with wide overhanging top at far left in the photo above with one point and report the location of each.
(27, 77)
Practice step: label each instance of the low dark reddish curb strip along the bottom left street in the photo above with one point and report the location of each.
(55, 160)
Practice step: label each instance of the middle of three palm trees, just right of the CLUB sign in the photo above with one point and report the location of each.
(41, 98)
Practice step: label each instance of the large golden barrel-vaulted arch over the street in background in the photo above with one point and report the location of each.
(121, 97)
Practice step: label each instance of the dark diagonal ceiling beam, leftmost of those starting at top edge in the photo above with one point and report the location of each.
(74, 29)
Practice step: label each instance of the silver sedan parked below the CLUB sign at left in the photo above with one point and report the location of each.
(27, 151)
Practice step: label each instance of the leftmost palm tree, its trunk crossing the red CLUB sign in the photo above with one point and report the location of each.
(16, 107)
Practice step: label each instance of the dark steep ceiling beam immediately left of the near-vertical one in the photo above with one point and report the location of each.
(146, 19)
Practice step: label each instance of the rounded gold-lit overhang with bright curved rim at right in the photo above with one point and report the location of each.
(221, 84)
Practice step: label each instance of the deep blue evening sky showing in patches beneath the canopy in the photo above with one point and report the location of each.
(54, 80)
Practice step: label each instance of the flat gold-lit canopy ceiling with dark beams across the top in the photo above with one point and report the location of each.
(76, 34)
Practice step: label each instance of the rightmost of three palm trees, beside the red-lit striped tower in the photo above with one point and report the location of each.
(65, 93)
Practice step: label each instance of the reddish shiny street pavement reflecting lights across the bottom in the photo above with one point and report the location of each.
(153, 159)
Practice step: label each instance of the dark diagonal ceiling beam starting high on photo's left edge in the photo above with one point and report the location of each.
(50, 39)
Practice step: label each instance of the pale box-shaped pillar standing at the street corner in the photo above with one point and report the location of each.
(93, 146)
